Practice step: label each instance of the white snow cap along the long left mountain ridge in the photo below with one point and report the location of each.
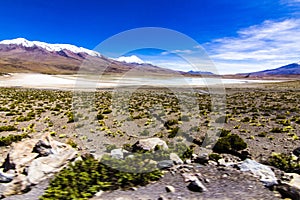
(50, 47)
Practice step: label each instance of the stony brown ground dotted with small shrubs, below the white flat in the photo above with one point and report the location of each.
(266, 117)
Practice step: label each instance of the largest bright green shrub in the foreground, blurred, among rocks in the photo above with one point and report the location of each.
(84, 178)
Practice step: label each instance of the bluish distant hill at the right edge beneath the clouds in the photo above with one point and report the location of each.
(287, 70)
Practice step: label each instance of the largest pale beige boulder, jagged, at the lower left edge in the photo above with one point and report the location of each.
(33, 161)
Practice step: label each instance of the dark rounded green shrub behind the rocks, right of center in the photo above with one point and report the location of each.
(229, 143)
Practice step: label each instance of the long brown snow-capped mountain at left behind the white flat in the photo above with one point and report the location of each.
(21, 55)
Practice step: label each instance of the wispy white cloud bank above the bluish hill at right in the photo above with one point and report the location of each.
(267, 45)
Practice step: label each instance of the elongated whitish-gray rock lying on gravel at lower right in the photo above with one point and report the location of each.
(264, 172)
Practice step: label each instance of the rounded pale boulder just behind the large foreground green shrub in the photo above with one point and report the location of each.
(149, 144)
